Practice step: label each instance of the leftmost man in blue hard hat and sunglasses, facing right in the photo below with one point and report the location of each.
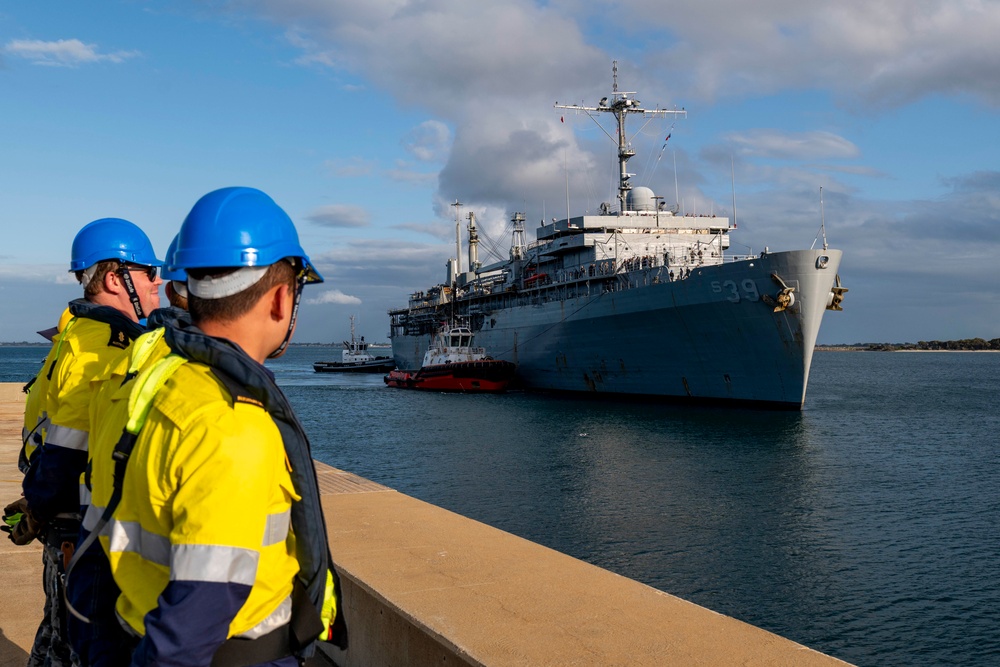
(117, 268)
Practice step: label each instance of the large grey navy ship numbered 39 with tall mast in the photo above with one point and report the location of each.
(637, 301)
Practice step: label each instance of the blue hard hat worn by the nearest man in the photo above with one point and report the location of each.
(235, 227)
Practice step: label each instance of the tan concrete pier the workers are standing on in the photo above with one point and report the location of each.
(425, 586)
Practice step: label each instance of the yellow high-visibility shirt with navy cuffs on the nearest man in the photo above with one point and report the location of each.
(201, 543)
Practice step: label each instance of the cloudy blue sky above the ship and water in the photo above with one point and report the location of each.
(367, 120)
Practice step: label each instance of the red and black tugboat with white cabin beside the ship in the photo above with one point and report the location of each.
(451, 363)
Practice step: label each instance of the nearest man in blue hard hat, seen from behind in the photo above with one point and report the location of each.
(233, 567)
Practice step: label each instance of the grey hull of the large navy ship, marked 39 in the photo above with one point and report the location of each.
(713, 336)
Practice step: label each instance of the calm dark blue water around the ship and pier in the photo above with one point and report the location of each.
(865, 526)
